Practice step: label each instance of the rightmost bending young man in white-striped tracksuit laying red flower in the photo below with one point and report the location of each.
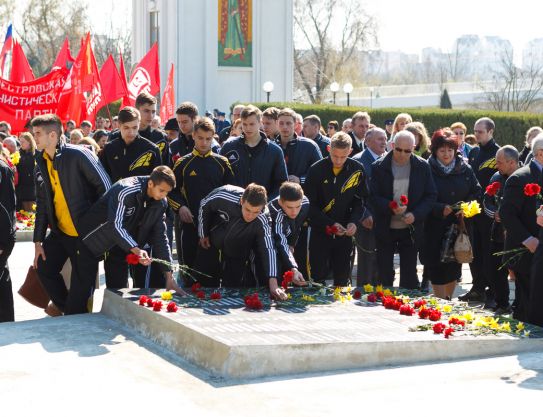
(288, 212)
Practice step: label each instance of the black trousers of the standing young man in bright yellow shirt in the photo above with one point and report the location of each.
(59, 247)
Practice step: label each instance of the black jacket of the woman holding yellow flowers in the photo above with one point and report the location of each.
(459, 185)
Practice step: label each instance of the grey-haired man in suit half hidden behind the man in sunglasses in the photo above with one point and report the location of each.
(366, 272)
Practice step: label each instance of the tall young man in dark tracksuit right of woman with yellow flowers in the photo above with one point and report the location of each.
(482, 159)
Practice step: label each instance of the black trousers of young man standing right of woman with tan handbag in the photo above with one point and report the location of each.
(481, 267)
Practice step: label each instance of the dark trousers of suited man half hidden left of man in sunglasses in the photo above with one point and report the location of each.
(366, 251)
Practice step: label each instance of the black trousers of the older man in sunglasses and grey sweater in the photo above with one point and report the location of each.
(401, 241)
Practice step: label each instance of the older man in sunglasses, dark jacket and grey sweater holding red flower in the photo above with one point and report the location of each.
(399, 226)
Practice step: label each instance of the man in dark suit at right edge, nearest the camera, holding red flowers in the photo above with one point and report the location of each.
(519, 219)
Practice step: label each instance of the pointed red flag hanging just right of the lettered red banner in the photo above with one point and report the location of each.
(82, 94)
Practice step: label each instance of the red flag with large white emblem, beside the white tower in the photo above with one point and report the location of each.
(146, 76)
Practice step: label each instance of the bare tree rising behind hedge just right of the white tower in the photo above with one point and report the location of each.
(326, 57)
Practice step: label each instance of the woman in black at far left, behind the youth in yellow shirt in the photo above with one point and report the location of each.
(26, 191)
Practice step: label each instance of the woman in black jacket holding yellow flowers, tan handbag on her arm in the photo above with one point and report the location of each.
(455, 182)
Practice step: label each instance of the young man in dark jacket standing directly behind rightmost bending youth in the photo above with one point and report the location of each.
(300, 153)
